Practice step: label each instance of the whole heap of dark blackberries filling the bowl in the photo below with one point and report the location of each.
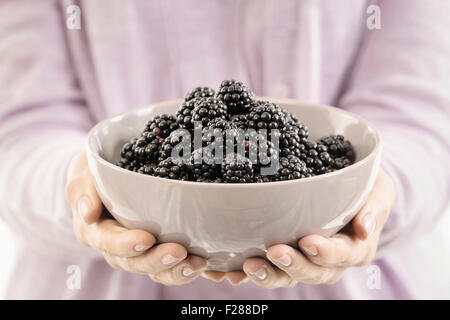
(232, 118)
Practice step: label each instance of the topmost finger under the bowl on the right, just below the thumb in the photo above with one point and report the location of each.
(340, 250)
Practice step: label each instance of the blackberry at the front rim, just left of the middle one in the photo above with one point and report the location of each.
(202, 169)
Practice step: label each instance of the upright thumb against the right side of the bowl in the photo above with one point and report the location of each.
(373, 215)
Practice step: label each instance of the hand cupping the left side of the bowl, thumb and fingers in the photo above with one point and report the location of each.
(131, 250)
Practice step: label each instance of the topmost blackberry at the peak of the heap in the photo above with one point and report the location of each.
(236, 96)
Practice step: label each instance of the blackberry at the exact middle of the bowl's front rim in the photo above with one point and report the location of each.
(237, 170)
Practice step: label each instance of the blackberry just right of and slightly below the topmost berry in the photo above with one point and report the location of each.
(266, 115)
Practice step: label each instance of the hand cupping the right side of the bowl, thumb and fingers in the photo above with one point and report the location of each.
(323, 260)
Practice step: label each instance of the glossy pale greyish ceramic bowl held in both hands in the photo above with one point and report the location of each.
(227, 223)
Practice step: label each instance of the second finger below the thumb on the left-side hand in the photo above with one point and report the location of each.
(158, 259)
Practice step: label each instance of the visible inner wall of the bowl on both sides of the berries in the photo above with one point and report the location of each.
(110, 135)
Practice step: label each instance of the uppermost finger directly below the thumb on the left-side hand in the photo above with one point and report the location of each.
(110, 237)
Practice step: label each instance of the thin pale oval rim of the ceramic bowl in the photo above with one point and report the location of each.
(372, 154)
